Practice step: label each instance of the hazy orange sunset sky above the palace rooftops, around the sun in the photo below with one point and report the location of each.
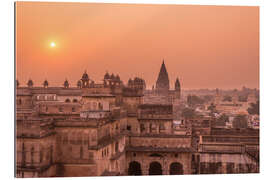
(206, 46)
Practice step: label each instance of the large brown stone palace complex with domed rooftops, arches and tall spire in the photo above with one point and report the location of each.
(113, 128)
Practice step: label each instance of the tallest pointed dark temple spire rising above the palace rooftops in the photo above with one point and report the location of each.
(163, 84)
